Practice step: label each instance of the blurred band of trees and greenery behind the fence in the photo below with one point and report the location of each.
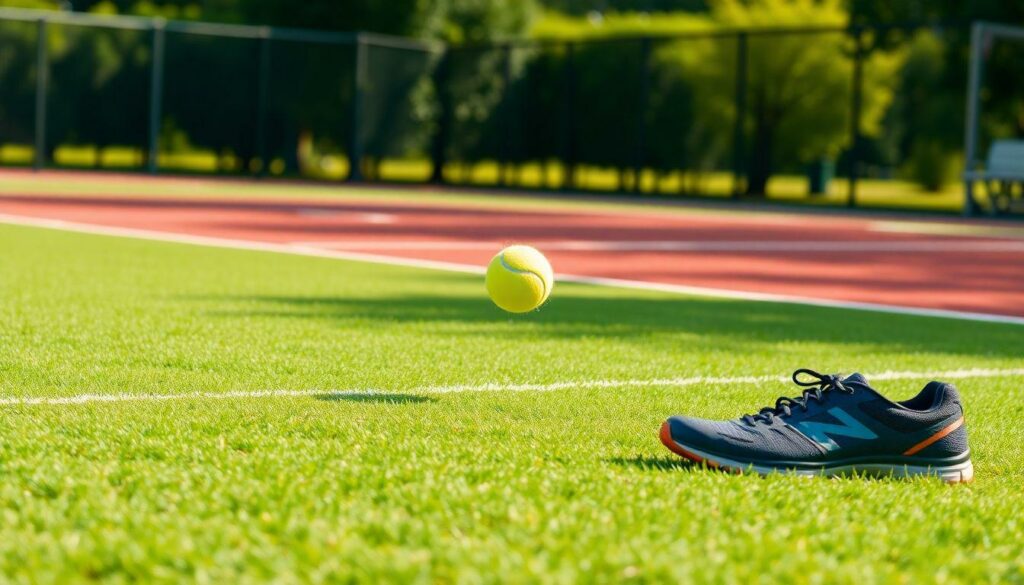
(652, 88)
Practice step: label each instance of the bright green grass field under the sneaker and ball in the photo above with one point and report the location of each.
(566, 486)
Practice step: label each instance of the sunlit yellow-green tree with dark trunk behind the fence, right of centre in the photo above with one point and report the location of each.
(800, 85)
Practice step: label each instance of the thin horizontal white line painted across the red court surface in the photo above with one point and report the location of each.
(803, 247)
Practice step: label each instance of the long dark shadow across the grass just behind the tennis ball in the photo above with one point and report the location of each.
(577, 313)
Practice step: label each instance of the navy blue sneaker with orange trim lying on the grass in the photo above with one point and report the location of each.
(838, 427)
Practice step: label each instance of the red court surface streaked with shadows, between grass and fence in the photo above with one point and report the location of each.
(986, 276)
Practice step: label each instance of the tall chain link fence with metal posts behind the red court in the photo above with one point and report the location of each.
(870, 116)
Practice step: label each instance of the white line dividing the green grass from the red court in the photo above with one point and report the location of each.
(453, 267)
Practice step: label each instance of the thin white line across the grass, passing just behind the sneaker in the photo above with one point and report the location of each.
(492, 388)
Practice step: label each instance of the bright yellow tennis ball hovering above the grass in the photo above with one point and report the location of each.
(520, 279)
